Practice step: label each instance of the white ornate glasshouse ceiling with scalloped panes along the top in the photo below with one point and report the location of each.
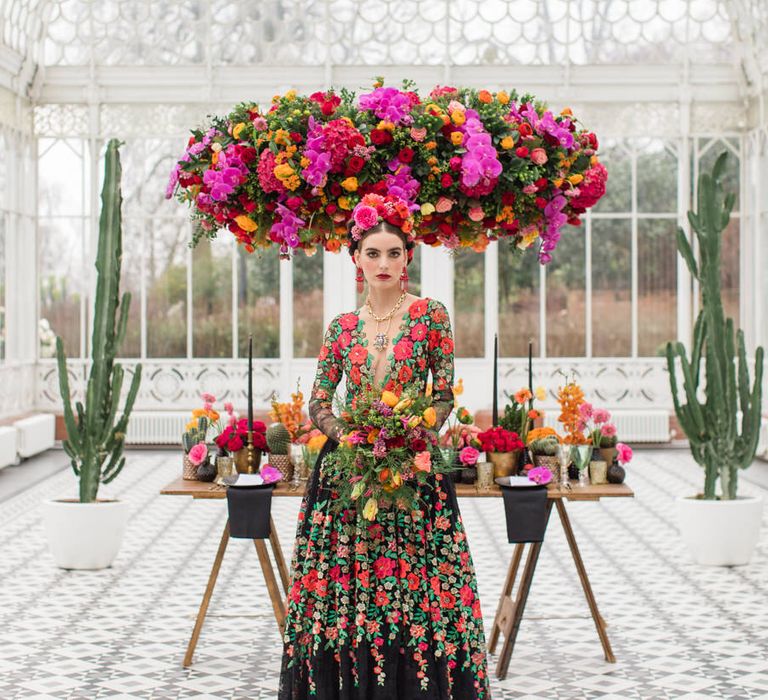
(56, 51)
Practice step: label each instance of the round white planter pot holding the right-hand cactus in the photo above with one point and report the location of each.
(720, 533)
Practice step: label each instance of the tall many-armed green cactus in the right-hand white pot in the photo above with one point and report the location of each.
(718, 443)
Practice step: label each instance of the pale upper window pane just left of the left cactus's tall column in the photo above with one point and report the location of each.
(60, 177)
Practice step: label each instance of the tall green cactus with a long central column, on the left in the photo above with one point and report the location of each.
(94, 441)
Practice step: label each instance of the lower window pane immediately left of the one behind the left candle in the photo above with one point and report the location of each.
(212, 298)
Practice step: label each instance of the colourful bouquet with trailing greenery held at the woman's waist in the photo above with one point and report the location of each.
(387, 450)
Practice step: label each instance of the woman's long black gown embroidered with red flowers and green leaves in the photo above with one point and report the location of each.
(389, 608)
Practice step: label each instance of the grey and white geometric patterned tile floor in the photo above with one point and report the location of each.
(678, 630)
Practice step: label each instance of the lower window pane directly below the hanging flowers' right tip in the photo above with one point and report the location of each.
(611, 288)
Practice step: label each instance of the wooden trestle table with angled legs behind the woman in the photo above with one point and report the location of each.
(509, 611)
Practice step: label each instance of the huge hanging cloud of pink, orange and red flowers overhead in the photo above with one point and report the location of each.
(472, 166)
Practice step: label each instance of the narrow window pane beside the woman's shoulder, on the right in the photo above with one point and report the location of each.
(469, 303)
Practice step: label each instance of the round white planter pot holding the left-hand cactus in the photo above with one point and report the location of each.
(84, 535)
